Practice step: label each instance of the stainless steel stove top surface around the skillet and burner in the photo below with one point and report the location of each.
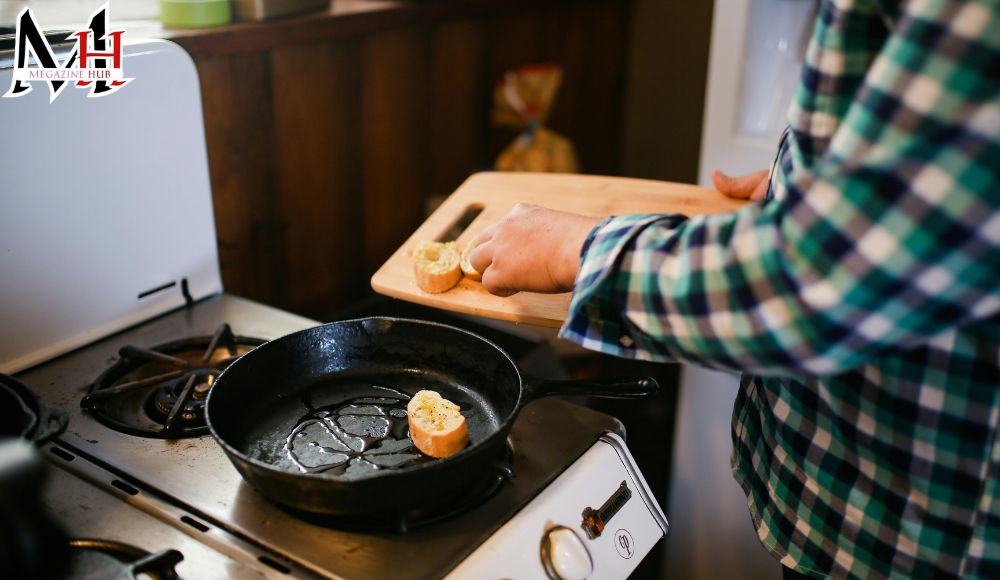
(194, 474)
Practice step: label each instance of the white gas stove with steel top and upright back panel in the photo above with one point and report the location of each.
(131, 353)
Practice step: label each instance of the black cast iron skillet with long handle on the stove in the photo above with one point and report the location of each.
(257, 402)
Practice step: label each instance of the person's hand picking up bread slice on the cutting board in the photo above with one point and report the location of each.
(533, 249)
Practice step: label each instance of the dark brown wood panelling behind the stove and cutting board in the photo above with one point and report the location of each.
(326, 148)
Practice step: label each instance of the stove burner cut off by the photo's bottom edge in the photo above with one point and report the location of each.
(112, 560)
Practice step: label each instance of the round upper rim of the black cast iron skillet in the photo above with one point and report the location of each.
(422, 468)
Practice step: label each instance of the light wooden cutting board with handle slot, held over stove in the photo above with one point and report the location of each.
(495, 194)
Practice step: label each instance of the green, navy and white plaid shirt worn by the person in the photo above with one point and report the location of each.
(863, 295)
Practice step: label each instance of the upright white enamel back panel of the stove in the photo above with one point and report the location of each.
(102, 199)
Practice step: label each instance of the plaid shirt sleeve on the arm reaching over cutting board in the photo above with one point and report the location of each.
(889, 237)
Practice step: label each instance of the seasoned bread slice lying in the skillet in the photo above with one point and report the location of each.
(437, 427)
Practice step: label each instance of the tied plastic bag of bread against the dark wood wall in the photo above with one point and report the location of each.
(522, 100)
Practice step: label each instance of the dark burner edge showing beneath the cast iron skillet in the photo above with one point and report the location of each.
(465, 500)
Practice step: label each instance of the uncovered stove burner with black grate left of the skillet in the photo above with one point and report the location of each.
(161, 392)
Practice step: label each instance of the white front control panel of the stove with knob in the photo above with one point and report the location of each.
(515, 551)
